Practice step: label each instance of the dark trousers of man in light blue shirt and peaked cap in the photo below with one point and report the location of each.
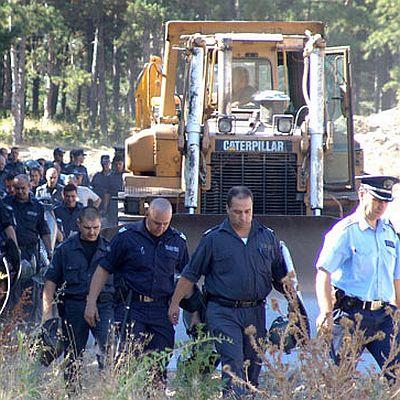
(372, 322)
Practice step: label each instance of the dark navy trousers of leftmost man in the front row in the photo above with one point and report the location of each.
(76, 333)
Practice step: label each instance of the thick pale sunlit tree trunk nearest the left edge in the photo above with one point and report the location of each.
(18, 89)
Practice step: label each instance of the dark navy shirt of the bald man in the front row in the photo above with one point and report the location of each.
(146, 264)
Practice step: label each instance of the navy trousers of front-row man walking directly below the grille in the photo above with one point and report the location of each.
(231, 323)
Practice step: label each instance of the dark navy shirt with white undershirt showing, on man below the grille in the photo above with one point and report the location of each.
(236, 270)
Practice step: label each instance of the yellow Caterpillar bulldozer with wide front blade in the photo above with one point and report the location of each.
(261, 104)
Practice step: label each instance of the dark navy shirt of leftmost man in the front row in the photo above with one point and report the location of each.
(70, 266)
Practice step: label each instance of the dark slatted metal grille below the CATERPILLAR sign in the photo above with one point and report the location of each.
(271, 177)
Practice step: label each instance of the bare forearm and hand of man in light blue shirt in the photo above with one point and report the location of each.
(323, 289)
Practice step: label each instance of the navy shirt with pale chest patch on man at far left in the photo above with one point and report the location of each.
(30, 220)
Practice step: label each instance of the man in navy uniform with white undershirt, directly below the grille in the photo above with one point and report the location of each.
(241, 260)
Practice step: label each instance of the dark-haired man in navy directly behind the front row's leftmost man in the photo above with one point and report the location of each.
(68, 212)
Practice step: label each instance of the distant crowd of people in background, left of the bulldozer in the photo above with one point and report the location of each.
(48, 179)
